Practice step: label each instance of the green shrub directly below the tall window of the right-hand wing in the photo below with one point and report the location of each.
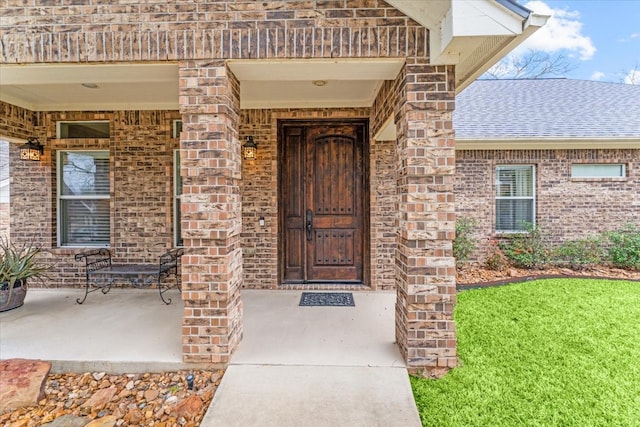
(527, 249)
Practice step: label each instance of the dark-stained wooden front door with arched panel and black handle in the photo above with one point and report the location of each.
(321, 200)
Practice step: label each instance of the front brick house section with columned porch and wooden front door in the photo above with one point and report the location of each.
(143, 109)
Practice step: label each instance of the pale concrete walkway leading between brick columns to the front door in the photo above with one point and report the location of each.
(315, 366)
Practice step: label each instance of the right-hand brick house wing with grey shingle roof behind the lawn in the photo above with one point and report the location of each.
(557, 153)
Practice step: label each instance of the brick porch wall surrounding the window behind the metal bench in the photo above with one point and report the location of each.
(140, 143)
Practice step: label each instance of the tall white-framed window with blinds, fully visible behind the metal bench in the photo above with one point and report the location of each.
(83, 198)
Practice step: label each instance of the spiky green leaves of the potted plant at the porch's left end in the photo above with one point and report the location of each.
(18, 263)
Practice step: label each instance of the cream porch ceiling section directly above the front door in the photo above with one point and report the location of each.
(290, 83)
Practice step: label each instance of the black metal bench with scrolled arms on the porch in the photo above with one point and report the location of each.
(101, 273)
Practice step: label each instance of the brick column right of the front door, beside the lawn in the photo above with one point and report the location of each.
(425, 267)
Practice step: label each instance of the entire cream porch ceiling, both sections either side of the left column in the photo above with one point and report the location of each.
(264, 84)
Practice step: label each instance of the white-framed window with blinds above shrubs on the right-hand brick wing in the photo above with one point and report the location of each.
(515, 197)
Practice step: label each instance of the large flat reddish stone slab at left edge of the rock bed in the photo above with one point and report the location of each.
(22, 383)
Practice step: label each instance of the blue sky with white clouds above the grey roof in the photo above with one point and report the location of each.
(600, 38)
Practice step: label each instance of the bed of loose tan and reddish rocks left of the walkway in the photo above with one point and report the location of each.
(157, 399)
